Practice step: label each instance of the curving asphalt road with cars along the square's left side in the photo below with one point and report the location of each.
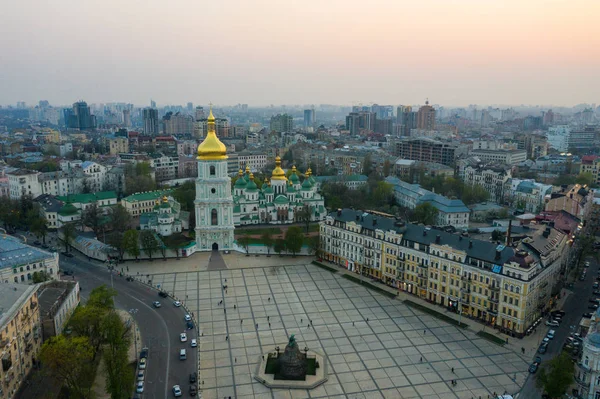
(159, 328)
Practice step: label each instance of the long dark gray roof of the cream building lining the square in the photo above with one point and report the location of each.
(482, 250)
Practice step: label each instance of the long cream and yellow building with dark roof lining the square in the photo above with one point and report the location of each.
(503, 286)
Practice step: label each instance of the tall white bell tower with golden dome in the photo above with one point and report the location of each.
(214, 202)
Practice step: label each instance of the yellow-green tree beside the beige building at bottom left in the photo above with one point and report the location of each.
(69, 360)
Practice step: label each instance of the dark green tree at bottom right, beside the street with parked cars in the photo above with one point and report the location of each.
(556, 376)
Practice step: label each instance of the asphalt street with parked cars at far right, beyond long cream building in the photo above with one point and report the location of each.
(574, 307)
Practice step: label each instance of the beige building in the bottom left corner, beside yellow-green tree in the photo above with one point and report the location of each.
(20, 335)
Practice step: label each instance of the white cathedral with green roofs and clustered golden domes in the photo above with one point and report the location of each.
(279, 201)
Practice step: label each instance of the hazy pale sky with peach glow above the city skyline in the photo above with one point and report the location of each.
(261, 52)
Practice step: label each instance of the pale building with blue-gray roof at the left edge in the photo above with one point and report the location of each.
(18, 261)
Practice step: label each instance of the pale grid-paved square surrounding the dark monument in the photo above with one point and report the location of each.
(377, 347)
